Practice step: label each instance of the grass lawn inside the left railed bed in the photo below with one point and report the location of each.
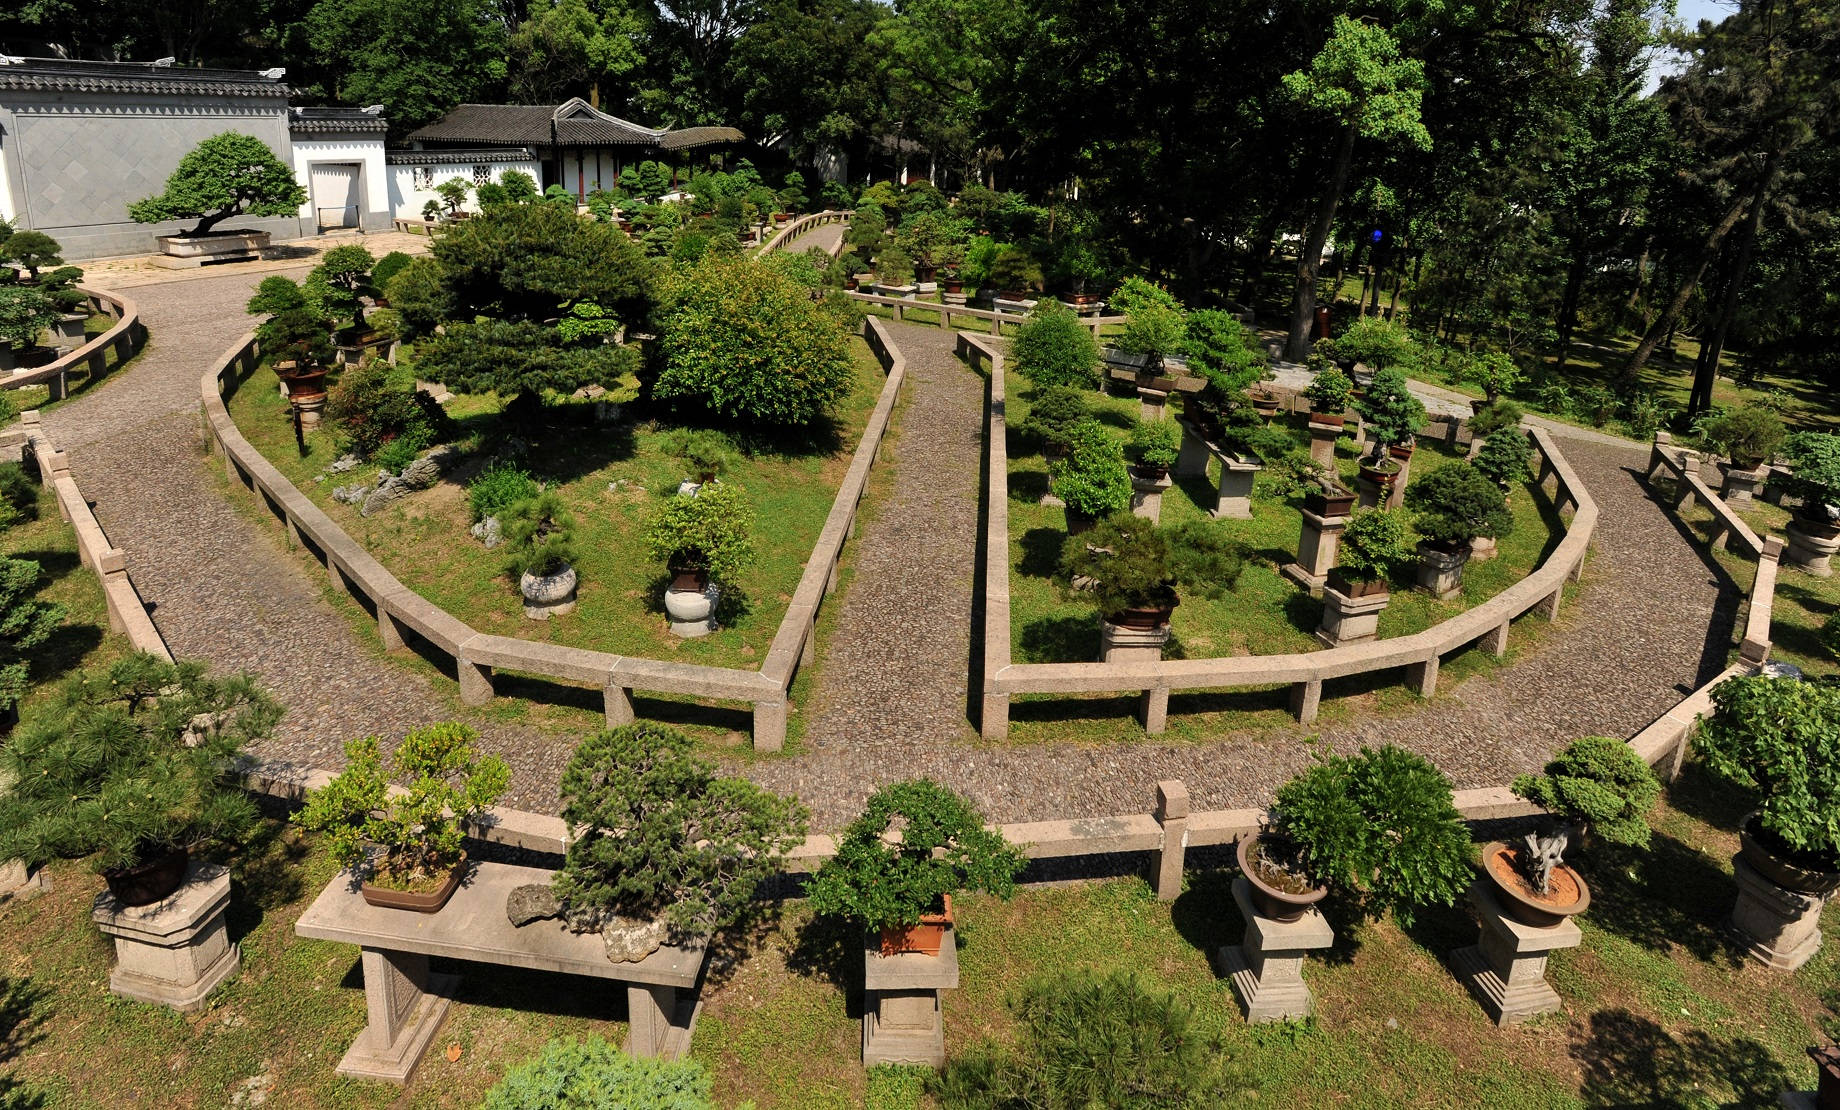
(610, 478)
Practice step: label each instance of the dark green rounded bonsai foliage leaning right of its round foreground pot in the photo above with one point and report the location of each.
(1381, 824)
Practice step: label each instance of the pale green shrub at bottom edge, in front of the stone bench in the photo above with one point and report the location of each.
(597, 1076)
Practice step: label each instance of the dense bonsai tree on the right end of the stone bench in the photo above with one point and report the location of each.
(658, 835)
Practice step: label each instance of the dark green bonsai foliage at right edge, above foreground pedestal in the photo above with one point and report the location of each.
(1780, 737)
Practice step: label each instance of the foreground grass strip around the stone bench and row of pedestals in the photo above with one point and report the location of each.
(1661, 1010)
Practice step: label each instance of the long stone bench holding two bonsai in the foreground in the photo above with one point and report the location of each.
(406, 1002)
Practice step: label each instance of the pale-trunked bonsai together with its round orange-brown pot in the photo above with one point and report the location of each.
(1596, 785)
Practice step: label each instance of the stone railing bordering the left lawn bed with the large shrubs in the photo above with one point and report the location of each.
(477, 656)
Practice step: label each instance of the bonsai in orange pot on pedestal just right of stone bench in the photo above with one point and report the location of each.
(903, 886)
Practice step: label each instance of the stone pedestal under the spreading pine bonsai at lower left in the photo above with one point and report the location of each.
(172, 953)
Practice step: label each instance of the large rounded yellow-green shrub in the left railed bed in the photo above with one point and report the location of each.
(752, 347)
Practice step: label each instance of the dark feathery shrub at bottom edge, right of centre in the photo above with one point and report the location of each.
(1088, 1043)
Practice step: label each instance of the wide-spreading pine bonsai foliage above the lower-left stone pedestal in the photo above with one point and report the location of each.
(133, 763)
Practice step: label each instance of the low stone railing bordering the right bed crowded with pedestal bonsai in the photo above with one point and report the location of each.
(1420, 654)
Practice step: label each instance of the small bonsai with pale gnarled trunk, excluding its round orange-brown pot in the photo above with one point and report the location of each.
(1596, 783)
